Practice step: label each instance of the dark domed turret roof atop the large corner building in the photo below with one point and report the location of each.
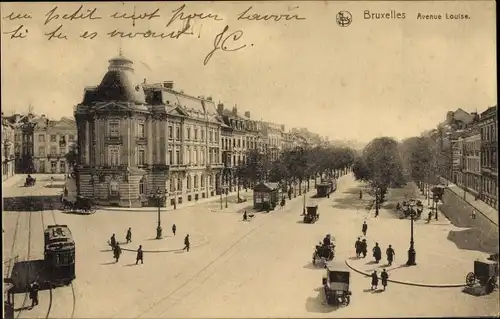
(120, 83)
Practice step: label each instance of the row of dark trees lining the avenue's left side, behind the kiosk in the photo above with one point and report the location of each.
(294, 166)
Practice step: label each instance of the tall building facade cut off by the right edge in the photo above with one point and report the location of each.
(488, 125)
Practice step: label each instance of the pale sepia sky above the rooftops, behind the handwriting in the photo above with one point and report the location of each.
(375, 77)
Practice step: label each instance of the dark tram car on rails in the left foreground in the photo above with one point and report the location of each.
(59, 254)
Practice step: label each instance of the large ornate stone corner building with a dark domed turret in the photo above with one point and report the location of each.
(135, 137)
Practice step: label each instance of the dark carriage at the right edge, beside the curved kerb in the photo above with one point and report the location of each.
(485, 273)
